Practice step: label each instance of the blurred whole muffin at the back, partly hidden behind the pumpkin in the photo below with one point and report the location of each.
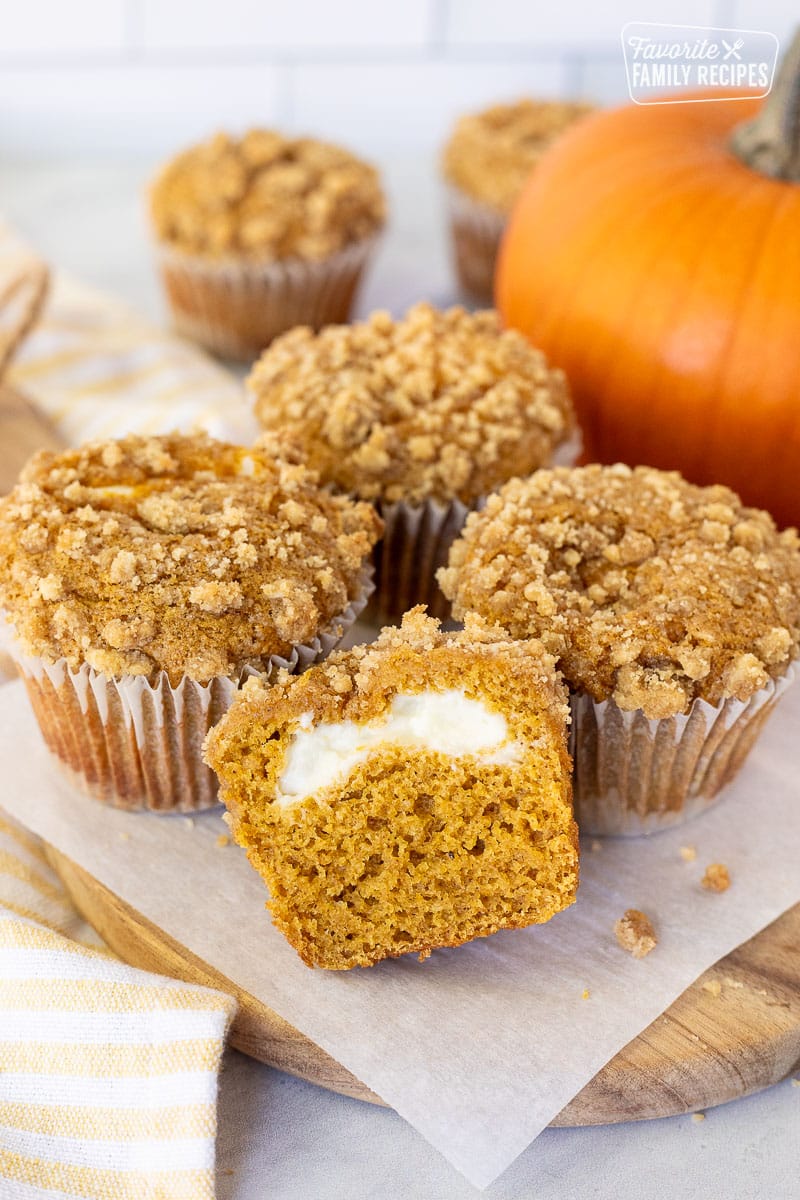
(486, 164)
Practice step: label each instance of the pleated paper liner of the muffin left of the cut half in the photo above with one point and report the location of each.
(136, 745)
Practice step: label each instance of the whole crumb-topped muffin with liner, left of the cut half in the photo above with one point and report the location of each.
(146, 578)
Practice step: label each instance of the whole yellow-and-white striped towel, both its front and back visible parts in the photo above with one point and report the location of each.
(109, 1076)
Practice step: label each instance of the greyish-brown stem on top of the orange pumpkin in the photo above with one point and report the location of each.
(771, 143)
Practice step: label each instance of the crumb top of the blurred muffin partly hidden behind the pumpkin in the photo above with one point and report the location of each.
(491, 154)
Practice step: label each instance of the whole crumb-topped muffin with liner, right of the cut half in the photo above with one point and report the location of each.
(673, 613)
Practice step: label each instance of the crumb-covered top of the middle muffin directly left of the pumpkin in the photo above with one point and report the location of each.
(438, 405)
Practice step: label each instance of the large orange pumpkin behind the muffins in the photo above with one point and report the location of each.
(663, 273)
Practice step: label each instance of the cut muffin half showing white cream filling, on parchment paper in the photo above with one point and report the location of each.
(406, 795)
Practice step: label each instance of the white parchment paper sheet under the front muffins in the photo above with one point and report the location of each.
(480, 1047)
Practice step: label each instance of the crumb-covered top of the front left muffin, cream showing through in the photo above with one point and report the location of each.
(176, 554)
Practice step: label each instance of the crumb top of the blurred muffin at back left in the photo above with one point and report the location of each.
(267, 197)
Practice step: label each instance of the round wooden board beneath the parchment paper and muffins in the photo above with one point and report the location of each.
(735, 1031)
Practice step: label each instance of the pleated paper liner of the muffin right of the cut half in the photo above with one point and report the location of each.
(635, 776)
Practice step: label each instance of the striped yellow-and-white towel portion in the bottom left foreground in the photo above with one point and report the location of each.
(109, 1076)
